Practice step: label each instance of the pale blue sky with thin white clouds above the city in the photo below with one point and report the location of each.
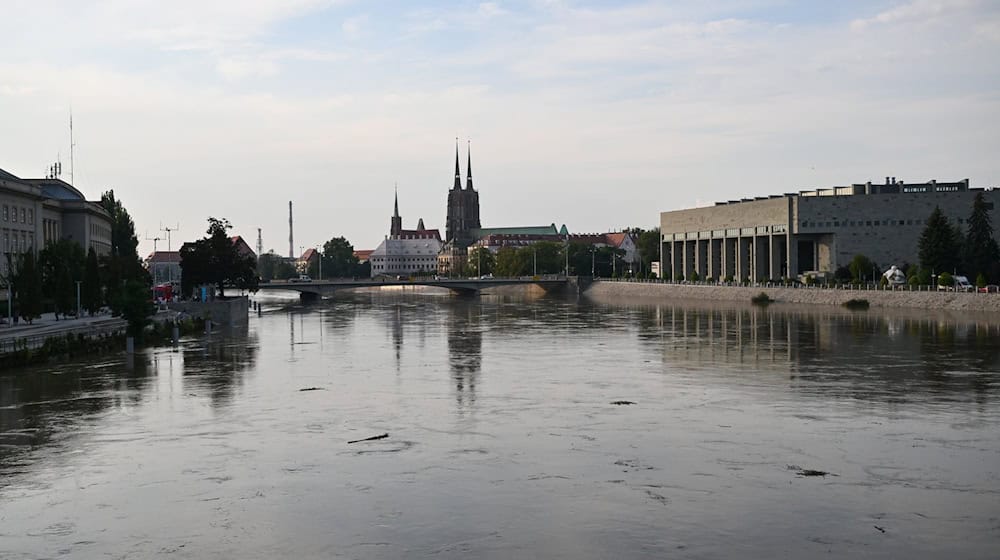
(595, 114)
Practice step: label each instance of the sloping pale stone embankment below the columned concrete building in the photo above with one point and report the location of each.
(955, 301)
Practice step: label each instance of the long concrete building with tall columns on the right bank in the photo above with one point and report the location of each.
(790, 234)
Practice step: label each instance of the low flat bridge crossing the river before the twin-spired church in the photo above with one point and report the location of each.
(464, 286)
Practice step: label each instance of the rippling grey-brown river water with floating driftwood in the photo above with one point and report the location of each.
(738, 432)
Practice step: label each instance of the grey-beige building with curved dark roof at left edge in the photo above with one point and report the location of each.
(34, 212)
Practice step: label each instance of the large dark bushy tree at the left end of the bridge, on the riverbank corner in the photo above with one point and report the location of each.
(215, 260)
